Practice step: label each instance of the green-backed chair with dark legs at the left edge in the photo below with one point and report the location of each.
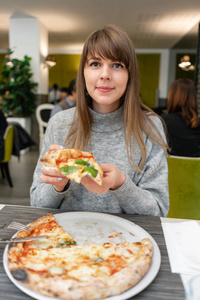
(8, 147)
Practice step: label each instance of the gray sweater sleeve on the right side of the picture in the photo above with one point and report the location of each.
(147, 192)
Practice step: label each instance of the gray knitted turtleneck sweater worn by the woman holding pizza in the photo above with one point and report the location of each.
(142, 193)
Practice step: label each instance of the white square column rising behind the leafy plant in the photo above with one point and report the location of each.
(28, 36)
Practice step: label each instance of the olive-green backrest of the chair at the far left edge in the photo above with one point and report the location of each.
(8, 142)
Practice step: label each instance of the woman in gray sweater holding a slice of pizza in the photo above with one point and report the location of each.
(110, 120)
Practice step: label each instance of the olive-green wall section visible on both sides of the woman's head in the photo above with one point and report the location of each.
(67, 66)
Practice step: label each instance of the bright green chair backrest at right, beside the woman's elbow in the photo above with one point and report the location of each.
(184, 187)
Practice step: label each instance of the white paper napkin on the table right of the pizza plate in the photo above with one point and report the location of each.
(183, 245)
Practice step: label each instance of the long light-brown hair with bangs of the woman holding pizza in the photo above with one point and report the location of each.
(113, 43)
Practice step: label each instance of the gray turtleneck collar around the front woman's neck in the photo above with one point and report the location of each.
(107, 122)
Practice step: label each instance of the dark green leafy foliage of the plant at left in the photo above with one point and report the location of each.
(17, 88)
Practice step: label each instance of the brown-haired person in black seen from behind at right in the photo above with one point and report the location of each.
(182, 122)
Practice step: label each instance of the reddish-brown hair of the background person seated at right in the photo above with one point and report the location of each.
(182, 99)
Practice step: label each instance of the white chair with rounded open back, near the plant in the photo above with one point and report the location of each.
(43, 112)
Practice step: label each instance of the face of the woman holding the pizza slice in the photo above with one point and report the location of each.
(106, 82)
